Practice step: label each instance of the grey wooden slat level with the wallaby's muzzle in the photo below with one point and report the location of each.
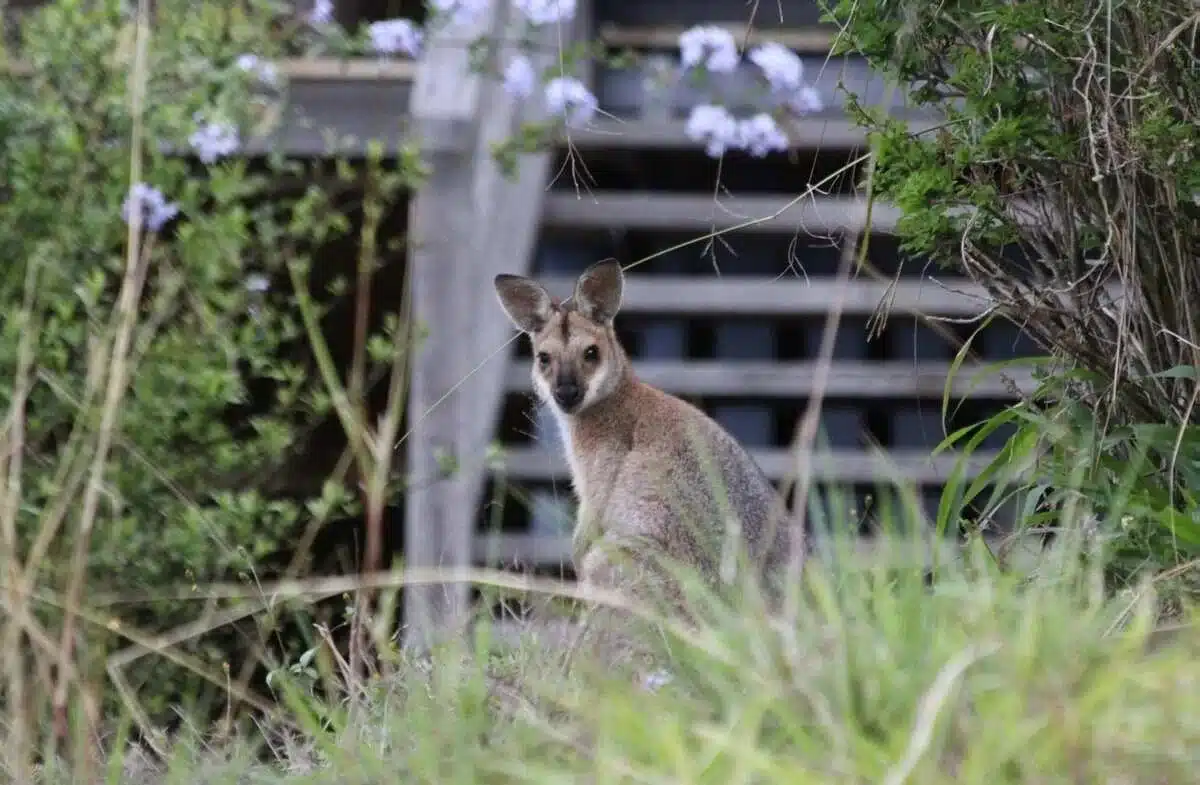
(885, 380)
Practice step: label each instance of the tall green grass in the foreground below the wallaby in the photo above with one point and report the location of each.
(986, 676)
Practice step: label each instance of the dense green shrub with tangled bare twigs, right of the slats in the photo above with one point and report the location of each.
(1065, 163)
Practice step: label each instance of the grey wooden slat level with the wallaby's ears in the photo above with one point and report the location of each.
(789, 297)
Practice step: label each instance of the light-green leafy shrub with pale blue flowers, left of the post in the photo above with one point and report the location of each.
(152, 387)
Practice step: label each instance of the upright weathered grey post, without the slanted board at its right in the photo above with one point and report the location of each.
(445, 215)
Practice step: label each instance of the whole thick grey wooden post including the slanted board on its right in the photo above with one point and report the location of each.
(469, 224)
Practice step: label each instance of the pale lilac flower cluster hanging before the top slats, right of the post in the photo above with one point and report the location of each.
(715, 50)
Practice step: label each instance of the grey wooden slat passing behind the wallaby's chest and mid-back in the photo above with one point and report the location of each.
(915, 466)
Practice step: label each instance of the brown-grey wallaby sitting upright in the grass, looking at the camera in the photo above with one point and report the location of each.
(651, 471)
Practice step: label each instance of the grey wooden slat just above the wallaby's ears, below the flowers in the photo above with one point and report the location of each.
(771, 214)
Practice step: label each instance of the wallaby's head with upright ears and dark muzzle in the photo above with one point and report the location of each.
(578, 361)
